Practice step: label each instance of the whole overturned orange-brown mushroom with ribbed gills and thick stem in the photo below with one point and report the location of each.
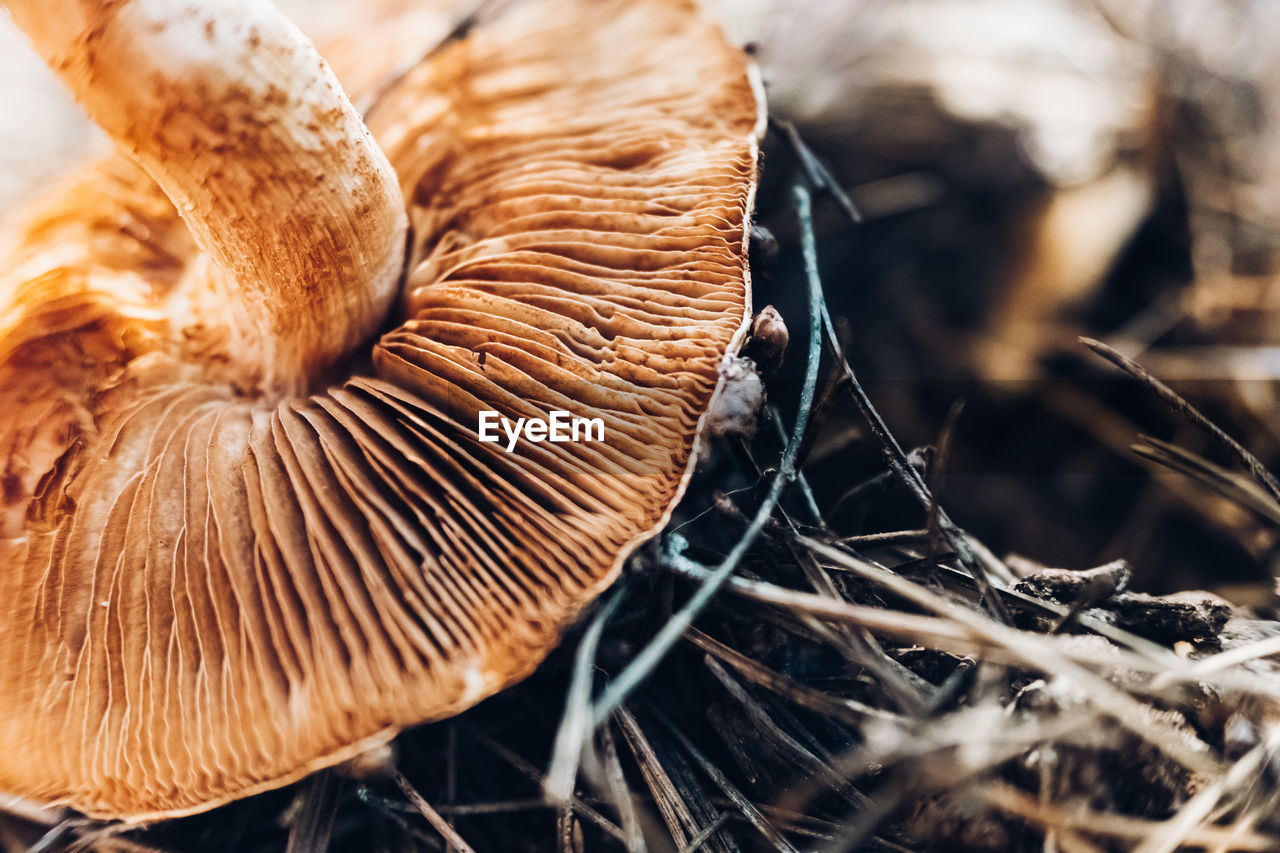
(250, 528)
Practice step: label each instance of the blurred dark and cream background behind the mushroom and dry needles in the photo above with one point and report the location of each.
(1027, 172)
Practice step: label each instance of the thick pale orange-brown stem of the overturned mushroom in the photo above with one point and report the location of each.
(241, 122)
